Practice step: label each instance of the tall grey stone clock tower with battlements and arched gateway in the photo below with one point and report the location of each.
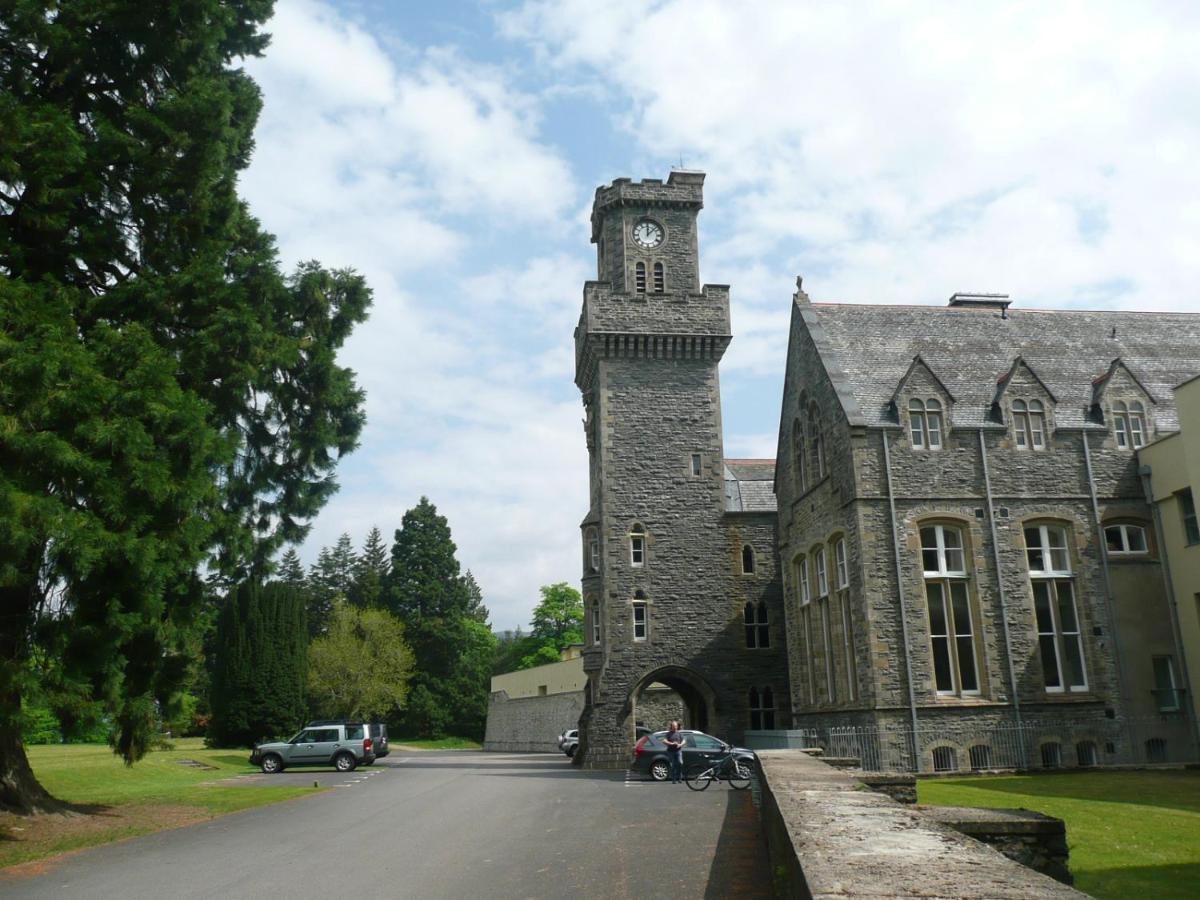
(670, 560)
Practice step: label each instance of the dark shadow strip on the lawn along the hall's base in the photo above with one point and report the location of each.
(1179, 790)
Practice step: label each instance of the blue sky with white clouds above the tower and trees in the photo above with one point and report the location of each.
(890, 153)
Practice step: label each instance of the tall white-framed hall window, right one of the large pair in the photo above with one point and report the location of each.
(1060, 639)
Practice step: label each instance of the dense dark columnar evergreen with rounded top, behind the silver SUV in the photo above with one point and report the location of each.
(260, 674)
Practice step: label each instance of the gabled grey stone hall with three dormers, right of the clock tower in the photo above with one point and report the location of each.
(971, 565)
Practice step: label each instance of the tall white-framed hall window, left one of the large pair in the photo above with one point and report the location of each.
(947, 595)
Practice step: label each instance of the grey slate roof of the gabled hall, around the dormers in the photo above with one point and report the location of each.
(869, 349)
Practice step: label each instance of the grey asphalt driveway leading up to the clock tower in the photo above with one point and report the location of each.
(445, 825)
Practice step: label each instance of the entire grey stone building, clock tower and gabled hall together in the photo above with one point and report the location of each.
(962, 571)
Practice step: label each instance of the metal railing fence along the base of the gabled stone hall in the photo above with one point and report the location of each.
(1034, 745)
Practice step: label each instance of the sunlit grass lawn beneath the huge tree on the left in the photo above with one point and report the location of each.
(116, 802)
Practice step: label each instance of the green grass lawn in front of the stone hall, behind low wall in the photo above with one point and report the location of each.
(1132, 835)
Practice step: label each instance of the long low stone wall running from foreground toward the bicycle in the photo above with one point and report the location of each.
(831, 837)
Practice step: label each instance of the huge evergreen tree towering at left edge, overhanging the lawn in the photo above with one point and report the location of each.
(166, 394)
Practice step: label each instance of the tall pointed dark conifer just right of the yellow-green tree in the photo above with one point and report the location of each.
(452, 649)
